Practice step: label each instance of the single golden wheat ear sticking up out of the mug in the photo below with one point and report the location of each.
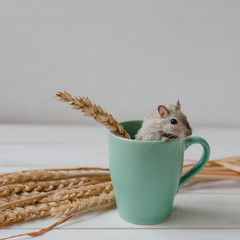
(92, 110)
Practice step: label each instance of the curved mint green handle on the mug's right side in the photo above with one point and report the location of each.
(200, 164)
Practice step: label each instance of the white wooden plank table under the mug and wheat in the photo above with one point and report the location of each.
(201, 211)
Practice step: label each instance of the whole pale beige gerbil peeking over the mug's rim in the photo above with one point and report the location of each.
(164, 123)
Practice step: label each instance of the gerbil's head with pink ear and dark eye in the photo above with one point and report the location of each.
(174, 122)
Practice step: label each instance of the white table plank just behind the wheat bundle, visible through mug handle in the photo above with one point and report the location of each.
(79, 153)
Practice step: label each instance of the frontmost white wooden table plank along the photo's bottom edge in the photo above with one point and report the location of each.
(133, 234)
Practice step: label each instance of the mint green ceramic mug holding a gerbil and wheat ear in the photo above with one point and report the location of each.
(146, 175)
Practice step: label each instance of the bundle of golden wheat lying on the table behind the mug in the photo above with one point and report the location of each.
(58, 192)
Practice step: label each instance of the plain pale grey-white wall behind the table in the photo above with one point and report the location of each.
(129, 56)
